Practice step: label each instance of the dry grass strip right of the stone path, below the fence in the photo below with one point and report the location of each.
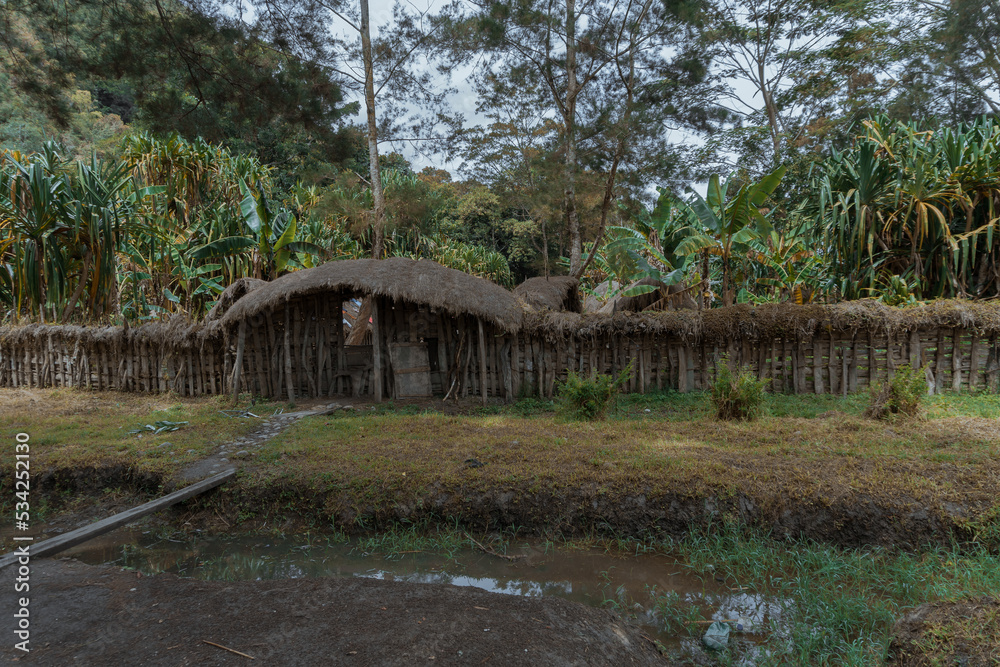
(810, 450)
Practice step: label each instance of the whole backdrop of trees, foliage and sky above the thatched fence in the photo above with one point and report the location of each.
(153, 152)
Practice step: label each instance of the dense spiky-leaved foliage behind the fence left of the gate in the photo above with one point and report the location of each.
(163, 230)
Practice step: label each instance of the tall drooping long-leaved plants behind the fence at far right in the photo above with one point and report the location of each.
(907, 202)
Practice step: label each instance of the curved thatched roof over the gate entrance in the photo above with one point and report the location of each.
(417, 281)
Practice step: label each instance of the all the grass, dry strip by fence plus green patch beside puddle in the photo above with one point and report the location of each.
(835, 605)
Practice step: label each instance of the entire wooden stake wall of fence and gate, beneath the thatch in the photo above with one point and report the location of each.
(295, 352)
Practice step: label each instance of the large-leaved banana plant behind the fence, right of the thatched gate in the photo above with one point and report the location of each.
(726, 226)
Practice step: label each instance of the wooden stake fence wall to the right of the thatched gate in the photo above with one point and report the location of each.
(954, 360)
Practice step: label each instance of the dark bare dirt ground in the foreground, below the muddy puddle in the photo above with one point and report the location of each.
(107, 616)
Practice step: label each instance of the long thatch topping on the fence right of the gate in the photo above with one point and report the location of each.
(768, 321)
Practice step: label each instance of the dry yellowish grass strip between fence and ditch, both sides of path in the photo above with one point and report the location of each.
(816, 451)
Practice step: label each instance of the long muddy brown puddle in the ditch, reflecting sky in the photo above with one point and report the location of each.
(657, 591)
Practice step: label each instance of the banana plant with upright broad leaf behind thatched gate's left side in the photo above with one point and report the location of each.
(270, 237)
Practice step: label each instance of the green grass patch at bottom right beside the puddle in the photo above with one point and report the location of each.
(828, 605)
